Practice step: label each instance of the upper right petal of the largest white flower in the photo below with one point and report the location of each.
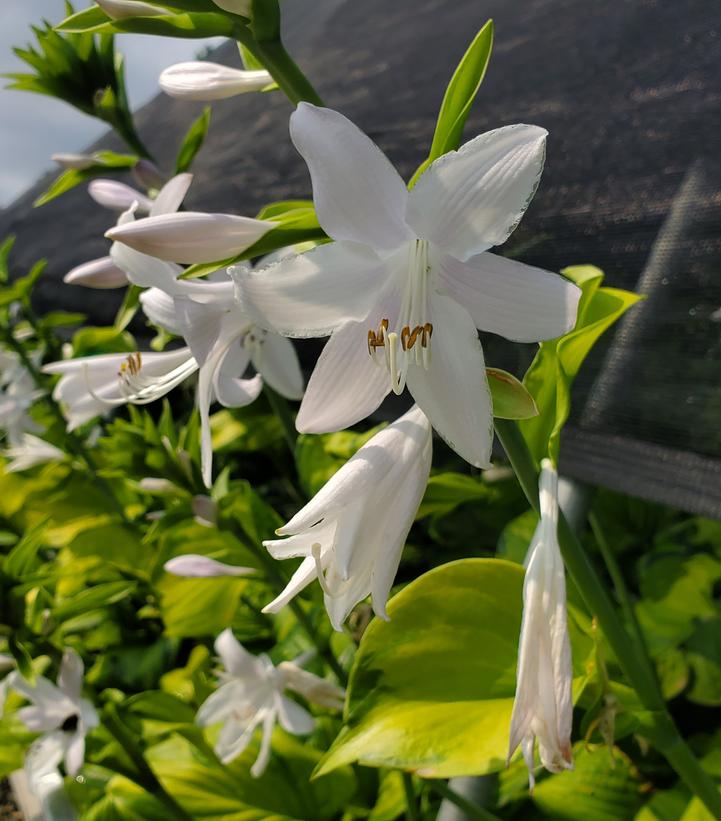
(471, 199)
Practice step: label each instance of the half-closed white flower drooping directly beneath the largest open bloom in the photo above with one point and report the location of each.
(352, 533)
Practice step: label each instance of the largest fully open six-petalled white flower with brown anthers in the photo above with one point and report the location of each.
(409, 280)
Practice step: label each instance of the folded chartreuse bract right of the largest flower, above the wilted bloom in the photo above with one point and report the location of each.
(555, 366)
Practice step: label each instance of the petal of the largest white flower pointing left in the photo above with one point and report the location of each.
(311, 294)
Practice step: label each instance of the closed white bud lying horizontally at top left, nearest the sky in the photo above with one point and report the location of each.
(203, 81)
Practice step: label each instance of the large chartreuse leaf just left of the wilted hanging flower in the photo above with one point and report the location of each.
(432, 689)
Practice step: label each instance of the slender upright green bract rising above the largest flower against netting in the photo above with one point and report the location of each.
(459, 96)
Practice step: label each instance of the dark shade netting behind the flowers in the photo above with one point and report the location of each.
(630, 91)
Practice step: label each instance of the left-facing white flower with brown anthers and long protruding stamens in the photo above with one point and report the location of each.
(91, 385)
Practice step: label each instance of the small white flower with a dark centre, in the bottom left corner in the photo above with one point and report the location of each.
(60, 713)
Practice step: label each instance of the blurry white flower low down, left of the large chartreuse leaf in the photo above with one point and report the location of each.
(251, 696)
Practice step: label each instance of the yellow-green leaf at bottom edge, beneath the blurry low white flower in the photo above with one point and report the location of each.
(208, 790)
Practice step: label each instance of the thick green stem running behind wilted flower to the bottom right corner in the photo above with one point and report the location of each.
(659, 725)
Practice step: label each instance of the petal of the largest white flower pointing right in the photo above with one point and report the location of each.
(506, 297)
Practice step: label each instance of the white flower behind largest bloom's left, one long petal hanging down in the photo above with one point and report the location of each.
(220, 335)
